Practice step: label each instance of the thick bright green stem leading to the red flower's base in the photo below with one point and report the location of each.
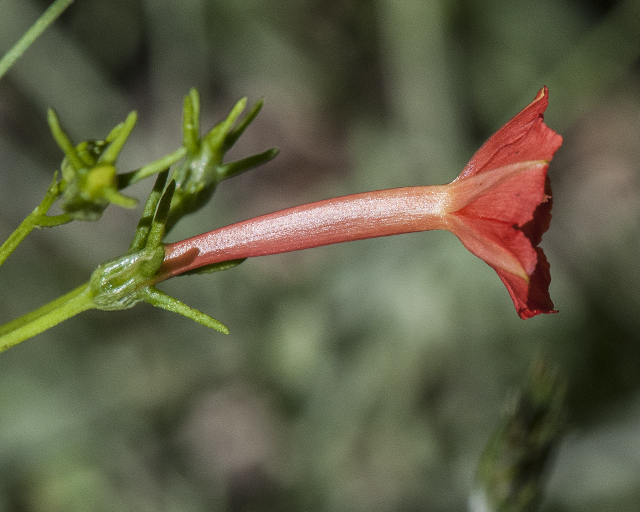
(47, 316)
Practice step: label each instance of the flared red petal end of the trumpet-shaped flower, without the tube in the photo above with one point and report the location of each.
(506, 199)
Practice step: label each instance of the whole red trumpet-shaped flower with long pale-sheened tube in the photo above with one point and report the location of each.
(499, 207)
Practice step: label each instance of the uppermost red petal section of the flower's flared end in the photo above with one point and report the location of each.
(525, 137)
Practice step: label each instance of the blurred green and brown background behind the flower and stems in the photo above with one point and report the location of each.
(359, 377)
